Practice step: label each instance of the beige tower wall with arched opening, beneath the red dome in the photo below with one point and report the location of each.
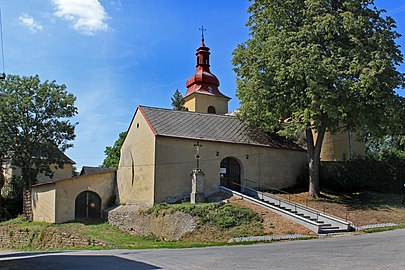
(200, 102)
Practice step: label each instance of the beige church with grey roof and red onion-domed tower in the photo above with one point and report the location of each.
(158, 154)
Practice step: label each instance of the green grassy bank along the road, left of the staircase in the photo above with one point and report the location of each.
(219, 223)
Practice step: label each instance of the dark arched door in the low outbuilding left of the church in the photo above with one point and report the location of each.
(87, 206)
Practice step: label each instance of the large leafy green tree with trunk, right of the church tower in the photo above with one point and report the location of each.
(318, 65)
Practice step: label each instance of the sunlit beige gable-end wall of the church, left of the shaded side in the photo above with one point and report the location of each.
(136, 171)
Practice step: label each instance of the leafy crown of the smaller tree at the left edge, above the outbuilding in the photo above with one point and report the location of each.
(34, 118)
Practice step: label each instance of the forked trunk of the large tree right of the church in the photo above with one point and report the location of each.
(313, 156)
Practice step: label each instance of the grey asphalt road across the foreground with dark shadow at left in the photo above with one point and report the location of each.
(384, 250)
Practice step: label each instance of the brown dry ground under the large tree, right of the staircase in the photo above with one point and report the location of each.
(360, 208)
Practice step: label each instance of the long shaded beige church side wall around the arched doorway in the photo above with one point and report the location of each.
(175, 159)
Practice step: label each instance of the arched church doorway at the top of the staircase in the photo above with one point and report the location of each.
(230, 173)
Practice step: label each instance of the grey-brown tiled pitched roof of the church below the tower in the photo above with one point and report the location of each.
(211, 127)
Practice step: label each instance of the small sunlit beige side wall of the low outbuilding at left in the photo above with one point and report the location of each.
(43, 203)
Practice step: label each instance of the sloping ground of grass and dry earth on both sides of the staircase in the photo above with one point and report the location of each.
(217, 223)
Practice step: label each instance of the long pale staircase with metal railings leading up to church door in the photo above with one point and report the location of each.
(308, 217)
